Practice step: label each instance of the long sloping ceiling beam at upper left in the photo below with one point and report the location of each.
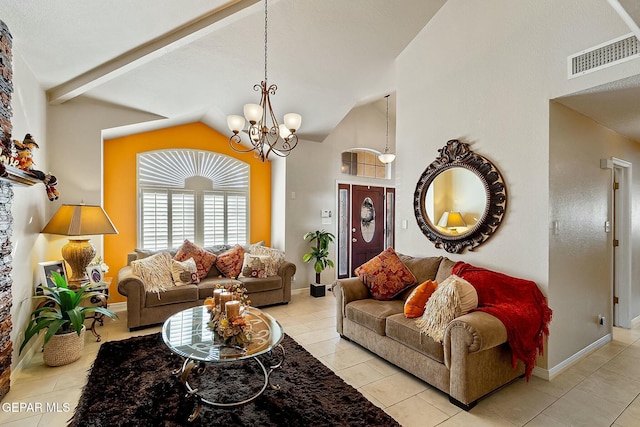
(146, 52)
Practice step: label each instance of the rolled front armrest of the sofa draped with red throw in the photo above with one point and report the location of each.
(472, 333)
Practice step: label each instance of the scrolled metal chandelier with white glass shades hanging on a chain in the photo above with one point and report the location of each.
(266, 136)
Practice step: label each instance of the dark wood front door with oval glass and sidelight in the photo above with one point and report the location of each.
(366, 216)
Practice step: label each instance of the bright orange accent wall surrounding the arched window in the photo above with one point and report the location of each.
(120, 187)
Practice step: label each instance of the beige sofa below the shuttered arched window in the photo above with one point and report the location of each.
(149, 308)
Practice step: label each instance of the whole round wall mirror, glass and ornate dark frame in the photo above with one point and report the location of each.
(460, 198)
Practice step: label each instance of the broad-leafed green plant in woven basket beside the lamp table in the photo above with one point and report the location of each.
(62, 315)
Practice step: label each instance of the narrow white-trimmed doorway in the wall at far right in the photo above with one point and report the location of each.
(621, 240)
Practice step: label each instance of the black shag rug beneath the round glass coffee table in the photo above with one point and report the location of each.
(131, 384)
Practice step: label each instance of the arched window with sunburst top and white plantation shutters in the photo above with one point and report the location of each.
(189, 194)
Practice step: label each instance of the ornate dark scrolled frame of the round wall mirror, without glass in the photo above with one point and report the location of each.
(458, 154)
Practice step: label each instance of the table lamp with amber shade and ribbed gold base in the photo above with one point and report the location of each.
(79, 221)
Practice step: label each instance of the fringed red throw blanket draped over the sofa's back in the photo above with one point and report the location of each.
(518, 303)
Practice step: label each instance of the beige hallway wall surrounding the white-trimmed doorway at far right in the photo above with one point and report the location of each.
(580, 253)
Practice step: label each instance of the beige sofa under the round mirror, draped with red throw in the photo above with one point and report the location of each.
(473, 360)
